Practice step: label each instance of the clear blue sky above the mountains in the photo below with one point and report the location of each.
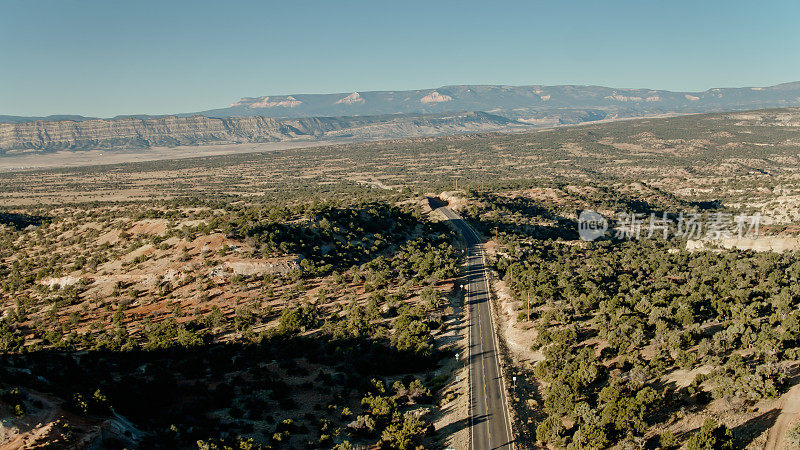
(104, 58)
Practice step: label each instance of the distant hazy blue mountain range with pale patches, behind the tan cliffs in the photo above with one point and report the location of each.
(524, 103)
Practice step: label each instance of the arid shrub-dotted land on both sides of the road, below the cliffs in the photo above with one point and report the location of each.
(311, 297)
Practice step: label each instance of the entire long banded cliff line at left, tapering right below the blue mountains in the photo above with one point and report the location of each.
(138, 133)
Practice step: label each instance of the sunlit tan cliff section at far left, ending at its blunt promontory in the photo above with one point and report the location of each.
(140, 133)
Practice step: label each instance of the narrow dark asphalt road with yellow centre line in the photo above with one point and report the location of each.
(489, 422)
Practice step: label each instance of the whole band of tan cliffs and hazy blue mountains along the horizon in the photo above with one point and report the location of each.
(379, 115)
